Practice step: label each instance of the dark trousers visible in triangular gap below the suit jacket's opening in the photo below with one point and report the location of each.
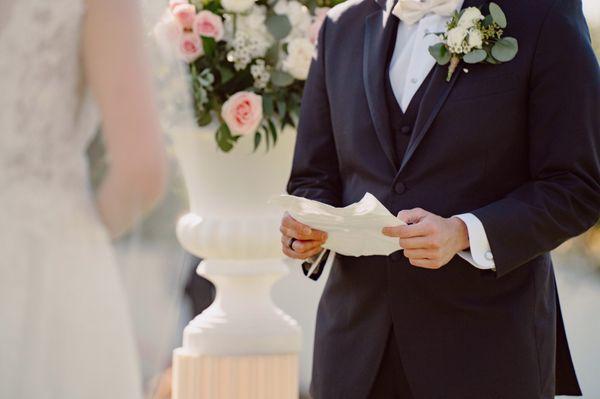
(390, 382)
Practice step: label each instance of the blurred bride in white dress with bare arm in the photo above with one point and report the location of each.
(65, 65)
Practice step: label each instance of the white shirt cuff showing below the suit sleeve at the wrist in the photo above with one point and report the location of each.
(480, 254)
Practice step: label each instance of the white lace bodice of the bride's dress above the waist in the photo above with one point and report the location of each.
(46, 116)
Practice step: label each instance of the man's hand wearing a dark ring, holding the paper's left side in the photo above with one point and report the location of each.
(305, 241)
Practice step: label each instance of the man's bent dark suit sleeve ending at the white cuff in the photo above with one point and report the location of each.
(562, 198)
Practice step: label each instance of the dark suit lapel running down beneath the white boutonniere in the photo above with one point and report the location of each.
(433, 100)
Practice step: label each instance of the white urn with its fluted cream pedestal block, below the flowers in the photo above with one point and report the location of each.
(242, 346)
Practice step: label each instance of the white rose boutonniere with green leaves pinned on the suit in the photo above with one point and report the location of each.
(474, 38)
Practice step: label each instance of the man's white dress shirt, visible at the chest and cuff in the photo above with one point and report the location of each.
(410, 65)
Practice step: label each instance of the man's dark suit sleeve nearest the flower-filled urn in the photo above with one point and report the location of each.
(315, 173)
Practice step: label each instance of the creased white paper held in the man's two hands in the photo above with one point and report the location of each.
(354, 230)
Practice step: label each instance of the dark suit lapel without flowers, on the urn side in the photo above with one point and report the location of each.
(379, 31)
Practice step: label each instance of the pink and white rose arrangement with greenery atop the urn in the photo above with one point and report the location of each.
(248, 60)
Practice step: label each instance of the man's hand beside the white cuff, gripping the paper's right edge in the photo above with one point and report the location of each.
(429, 241)
